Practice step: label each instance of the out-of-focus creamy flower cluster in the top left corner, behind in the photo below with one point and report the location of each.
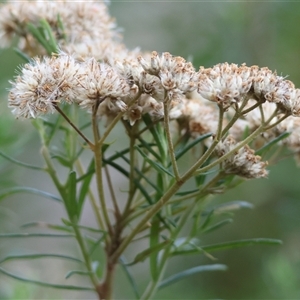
(83, 28)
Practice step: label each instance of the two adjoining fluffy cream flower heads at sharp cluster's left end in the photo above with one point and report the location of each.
(43, 84)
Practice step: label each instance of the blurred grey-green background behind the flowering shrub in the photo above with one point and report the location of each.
(257, 33)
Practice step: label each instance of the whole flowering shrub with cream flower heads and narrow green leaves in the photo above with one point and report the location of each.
(224, 120)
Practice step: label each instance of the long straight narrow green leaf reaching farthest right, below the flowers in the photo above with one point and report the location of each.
(230, 245)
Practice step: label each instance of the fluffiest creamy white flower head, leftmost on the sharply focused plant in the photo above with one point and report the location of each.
(42, 84)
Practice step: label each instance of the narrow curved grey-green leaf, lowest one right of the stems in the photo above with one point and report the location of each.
(182, 275)
